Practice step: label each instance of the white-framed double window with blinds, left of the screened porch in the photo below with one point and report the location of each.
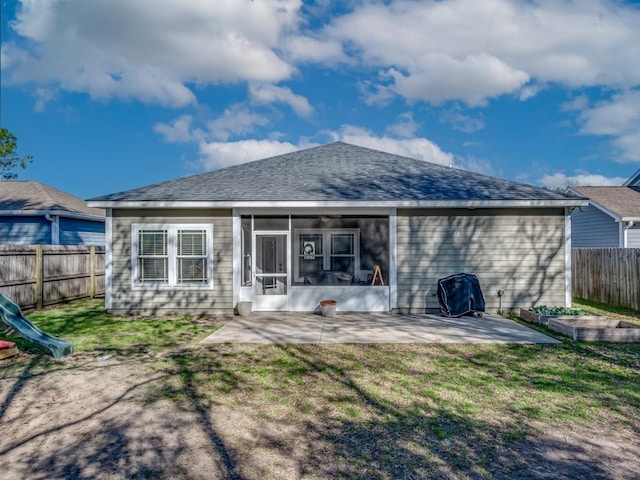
(172, 256)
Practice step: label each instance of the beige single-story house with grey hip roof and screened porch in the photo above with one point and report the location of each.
(289, 231)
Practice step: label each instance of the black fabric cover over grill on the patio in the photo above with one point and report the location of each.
(460, 295)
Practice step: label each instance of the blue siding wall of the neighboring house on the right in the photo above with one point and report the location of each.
(591, 227)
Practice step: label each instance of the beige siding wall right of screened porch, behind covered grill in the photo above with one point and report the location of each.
(519, 251)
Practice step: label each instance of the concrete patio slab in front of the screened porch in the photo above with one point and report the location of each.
(283, 328)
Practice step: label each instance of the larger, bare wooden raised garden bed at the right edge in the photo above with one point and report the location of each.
(596, 329)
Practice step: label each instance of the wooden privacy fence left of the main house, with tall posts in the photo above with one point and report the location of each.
(34, 276)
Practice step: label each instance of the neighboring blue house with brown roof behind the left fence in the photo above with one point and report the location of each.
(32, 213)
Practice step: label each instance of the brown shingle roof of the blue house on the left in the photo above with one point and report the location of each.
(26, 197)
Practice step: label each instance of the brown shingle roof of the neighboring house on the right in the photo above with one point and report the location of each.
(622, 203)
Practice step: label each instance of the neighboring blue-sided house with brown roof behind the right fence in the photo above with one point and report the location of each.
(612, 218)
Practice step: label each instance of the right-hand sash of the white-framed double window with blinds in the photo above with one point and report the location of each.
(192, 256)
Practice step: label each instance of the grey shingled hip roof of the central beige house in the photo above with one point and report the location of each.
(340, 174)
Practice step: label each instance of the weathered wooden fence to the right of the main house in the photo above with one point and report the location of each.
(607, 275)
